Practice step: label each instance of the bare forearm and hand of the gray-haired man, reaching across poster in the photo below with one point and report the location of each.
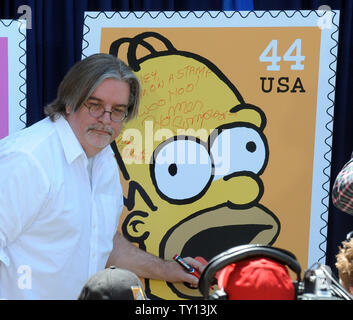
(126, 255)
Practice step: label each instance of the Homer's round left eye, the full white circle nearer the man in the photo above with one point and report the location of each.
(182, 170)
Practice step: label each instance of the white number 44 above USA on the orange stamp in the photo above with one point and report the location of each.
(288, 56)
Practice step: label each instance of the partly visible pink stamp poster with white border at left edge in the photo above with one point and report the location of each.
(12, 76)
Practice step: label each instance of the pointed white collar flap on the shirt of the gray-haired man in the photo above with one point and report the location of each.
(71, 146)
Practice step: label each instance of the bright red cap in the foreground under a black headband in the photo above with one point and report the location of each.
(256, 279)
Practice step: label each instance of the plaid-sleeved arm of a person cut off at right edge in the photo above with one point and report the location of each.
(342, 192)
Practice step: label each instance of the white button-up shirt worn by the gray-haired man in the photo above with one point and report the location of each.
(56, 226)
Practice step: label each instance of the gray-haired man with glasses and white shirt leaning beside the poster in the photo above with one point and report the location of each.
(60, 193)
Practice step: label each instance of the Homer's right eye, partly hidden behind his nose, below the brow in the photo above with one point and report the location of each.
(239, 149)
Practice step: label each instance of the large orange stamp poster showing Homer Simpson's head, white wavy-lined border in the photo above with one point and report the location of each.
(232, 143)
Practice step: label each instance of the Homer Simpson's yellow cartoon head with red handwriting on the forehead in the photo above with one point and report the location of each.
(191, 163)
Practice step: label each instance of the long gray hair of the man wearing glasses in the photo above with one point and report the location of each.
(85, 76)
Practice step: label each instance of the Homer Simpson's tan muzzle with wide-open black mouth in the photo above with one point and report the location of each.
(223, 227)
